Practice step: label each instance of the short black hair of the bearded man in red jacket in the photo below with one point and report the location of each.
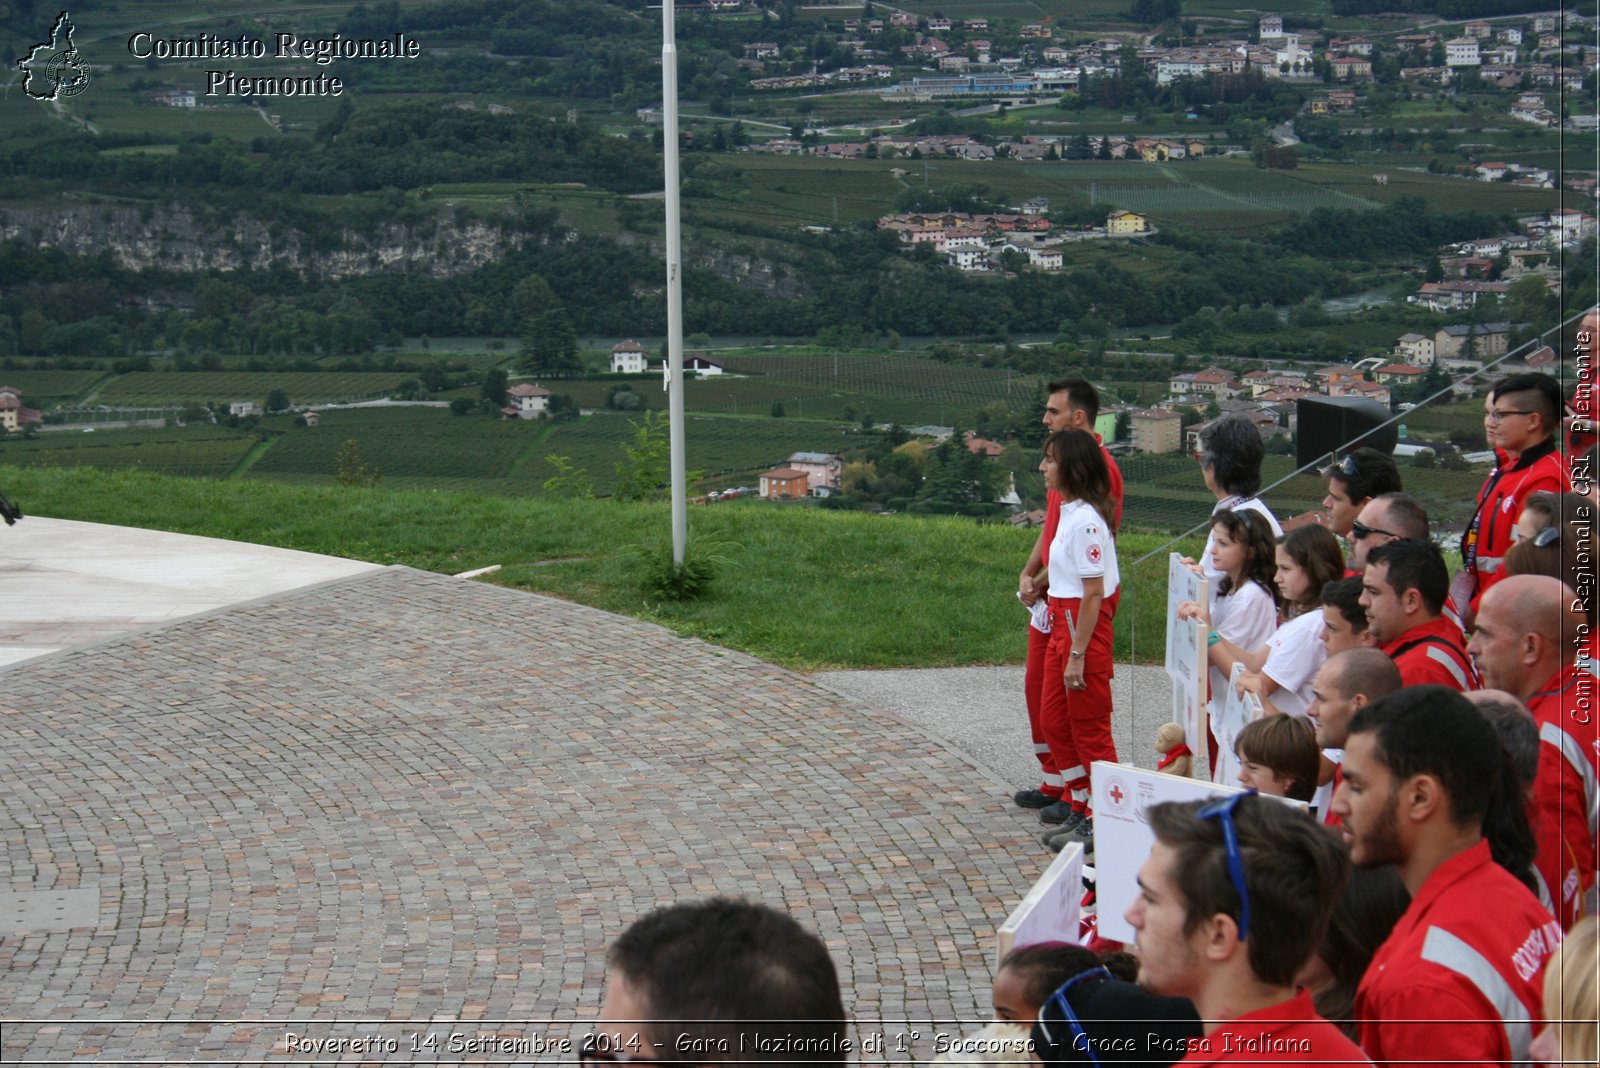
(1436, 731)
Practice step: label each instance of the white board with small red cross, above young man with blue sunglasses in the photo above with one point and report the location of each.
(1122, 839)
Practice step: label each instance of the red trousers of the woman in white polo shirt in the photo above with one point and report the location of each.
(1076, 723)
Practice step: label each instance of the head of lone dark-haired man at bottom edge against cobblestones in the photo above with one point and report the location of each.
(719, 981)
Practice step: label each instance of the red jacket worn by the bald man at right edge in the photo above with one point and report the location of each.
(1566, 794)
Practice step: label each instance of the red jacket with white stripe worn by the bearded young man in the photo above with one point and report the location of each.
(1460, 979)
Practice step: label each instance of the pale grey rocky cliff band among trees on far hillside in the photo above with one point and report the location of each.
(185, 241)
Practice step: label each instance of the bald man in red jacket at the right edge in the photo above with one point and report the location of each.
(1519, 648)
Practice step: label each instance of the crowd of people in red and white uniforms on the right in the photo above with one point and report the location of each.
(1441, 730)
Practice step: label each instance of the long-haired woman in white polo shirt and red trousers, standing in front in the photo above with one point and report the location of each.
(1082, 568)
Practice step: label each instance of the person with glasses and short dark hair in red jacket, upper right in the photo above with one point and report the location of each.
(1521, 421)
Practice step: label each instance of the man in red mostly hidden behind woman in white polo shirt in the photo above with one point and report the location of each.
(1071, 405)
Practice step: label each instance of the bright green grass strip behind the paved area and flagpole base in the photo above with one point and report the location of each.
(798, 586)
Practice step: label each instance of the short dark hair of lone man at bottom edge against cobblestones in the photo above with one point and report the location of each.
(714, 970)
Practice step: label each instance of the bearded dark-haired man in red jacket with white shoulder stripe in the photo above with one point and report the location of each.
(1460, 978)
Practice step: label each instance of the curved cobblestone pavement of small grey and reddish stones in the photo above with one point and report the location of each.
(401, 807)
